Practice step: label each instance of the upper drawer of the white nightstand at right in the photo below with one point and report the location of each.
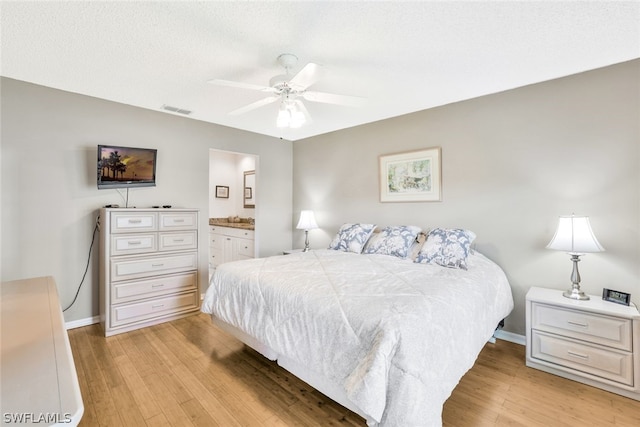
(598, 329)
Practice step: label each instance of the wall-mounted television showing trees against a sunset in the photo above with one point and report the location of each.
(126, 167)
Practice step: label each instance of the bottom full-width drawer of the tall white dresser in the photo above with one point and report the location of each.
(140, 311)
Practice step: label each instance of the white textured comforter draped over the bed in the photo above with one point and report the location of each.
(397, 335)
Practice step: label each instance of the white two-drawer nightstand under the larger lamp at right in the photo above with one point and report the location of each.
(594, 342)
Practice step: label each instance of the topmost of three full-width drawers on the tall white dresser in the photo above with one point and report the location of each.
(142, 267)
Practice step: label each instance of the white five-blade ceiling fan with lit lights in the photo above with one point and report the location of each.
(290, 90)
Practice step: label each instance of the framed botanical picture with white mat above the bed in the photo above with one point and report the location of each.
(413, 176)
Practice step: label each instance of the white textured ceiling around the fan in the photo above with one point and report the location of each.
(401, 56)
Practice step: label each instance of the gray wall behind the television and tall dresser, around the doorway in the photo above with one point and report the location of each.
(49, 198)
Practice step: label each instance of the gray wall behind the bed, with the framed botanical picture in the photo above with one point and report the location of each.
(511, 164)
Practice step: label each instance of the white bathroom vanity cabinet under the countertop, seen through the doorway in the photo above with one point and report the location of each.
(229, 244)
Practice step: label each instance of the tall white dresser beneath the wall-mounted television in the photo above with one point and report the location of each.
(148, 267)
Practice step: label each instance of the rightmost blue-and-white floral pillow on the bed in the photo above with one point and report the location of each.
(447, 247)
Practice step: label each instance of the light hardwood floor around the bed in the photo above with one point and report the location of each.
(187, 372)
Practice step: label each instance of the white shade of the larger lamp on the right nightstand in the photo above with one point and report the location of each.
(574, 235)
